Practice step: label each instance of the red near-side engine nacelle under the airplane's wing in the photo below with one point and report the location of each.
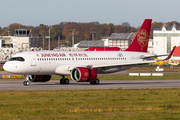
(82, 74)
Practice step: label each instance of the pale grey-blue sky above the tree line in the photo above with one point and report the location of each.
(50, 12)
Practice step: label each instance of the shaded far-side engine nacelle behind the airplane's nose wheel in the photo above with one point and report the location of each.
(39, 78)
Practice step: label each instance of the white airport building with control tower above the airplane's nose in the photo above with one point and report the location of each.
(10, 45)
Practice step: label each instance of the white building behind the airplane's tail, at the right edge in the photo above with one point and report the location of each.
(165, 39)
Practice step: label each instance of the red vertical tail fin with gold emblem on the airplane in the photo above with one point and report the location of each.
(140, 42)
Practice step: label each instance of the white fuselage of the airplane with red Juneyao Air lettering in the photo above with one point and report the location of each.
(60, 62)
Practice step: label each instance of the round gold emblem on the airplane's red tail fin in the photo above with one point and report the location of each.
(143, 38)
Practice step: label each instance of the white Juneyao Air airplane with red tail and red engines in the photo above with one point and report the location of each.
(82, 66)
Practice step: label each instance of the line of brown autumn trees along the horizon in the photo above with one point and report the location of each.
(82, 30)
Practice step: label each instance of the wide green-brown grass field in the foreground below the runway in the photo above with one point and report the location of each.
(136, 104)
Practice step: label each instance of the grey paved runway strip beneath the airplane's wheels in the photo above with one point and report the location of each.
(17, 84)
